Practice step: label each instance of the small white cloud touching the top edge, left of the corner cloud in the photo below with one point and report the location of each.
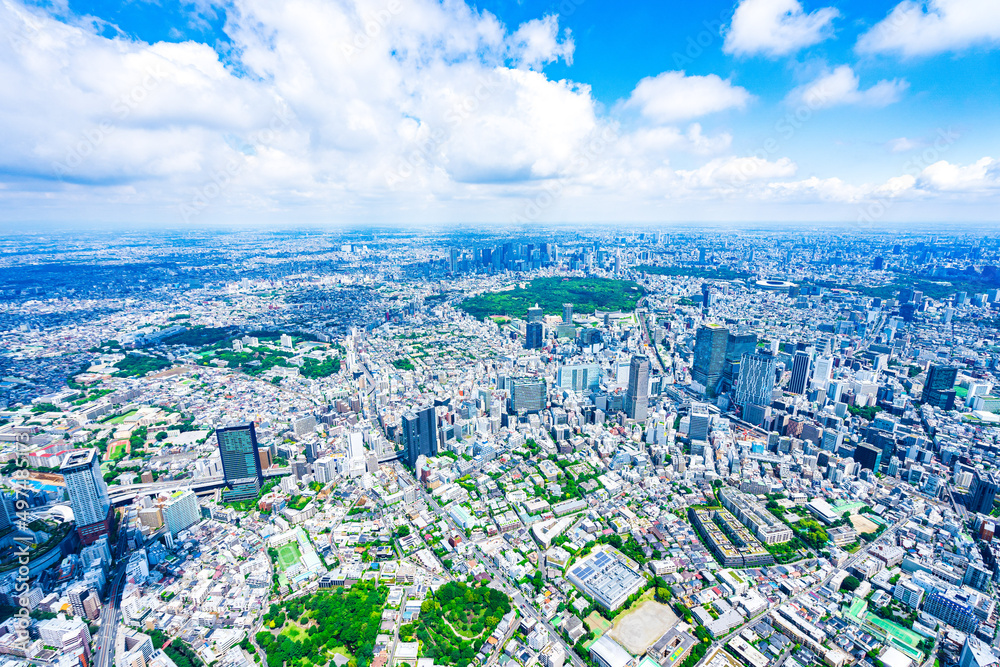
(776, 27)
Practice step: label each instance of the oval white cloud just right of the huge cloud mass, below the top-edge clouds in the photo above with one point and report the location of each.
(671, 96)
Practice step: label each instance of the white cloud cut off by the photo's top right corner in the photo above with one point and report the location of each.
(925, 28)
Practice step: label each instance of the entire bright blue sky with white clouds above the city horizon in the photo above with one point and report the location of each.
(421, 111)
